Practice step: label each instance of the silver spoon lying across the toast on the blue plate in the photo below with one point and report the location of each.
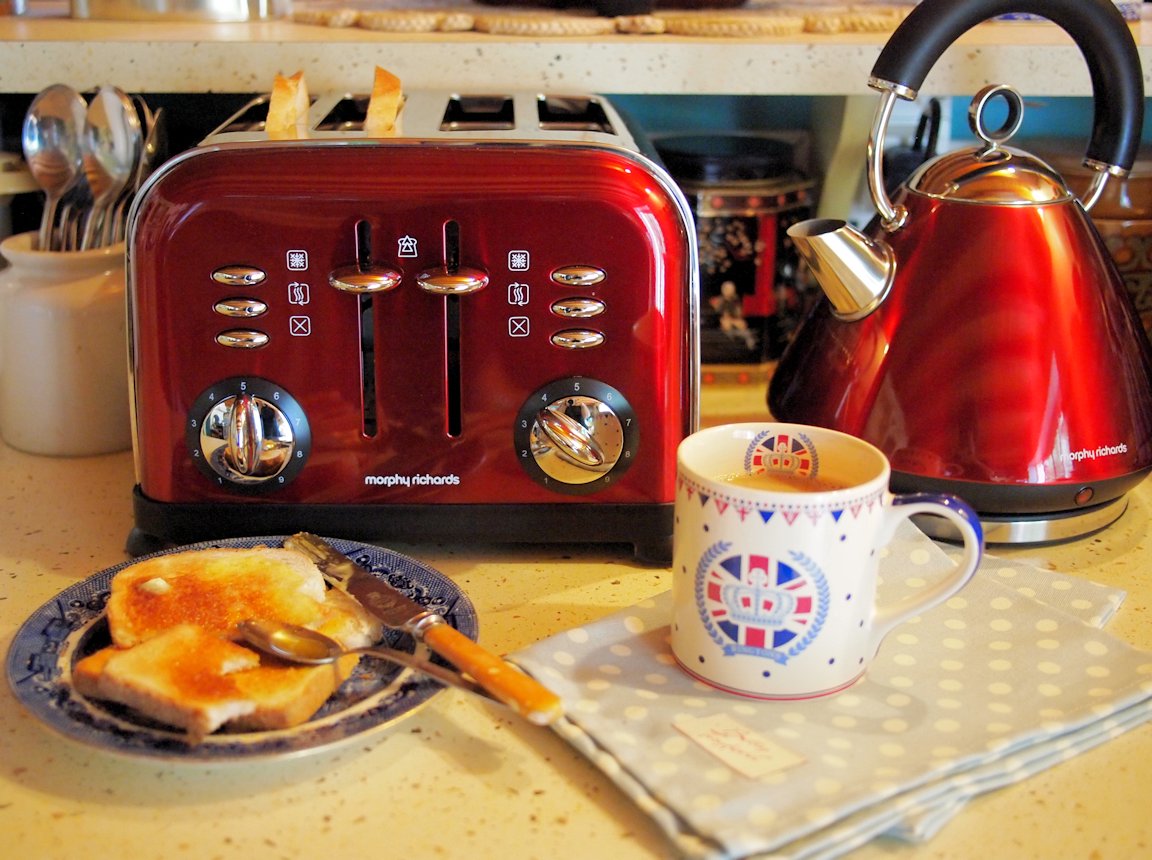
(310, 648)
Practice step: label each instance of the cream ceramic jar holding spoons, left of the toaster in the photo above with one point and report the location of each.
(64, 371)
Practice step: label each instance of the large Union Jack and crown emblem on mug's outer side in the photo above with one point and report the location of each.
(761, 606)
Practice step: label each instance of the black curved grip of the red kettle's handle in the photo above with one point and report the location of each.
(1096, 26)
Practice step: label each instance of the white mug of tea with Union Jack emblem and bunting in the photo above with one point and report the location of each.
(776, 557)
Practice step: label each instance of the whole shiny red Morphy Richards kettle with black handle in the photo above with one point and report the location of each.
(977, 331)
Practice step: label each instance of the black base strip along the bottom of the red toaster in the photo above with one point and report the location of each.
(648, 528)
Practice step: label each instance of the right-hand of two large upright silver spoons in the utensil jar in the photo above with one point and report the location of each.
(112, 143)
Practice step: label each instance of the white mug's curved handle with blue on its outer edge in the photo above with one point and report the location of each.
(964, 517)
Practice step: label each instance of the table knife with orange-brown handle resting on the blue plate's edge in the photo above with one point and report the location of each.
(519, 691)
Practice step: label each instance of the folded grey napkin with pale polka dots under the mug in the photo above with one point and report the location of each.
(1011, 676)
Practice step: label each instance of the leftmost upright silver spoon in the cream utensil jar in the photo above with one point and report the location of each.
(52, 149)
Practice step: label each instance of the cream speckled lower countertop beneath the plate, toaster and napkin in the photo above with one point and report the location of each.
(461, 778)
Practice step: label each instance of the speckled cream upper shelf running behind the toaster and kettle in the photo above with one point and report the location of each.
(1040, 59)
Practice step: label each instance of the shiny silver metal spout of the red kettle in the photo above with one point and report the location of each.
(854, 271)
